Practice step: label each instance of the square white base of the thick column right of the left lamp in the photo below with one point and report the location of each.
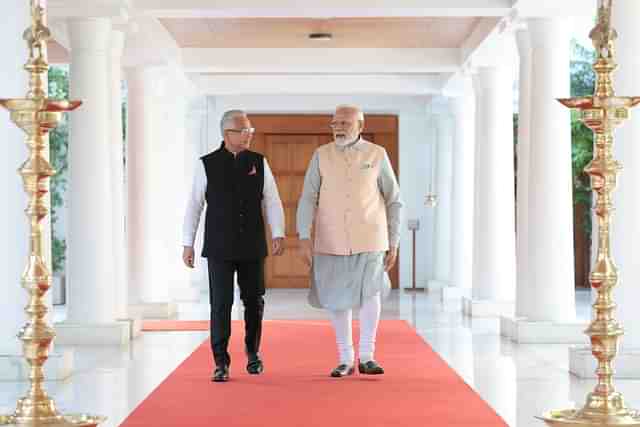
(112, 333)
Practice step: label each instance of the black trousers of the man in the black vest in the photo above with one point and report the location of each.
(251, 282)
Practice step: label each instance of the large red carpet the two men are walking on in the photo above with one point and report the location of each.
(419, 389)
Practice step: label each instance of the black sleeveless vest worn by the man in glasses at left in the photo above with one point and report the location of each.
(234, 226)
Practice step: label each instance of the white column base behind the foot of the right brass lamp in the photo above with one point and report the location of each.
(583, 365)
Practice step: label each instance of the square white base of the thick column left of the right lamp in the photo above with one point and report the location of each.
(523, 331)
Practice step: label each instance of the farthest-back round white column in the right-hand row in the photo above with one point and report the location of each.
(462, 196)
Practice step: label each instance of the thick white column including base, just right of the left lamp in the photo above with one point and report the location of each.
(91, 308)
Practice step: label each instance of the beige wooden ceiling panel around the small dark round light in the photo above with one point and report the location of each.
(421, 33)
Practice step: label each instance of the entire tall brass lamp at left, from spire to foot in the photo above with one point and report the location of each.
(36, 115)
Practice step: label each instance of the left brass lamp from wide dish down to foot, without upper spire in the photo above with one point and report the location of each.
(36, 117)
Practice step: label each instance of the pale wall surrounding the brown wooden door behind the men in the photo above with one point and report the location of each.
(414, 155)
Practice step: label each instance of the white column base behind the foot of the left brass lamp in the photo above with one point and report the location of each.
(13, 366)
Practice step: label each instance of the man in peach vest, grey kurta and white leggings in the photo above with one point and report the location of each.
(352, 195)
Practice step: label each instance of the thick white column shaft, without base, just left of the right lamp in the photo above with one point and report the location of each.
(551, 266)
